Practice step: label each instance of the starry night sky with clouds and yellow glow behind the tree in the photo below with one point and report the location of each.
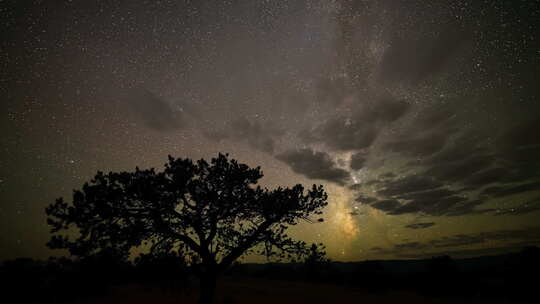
(421, 118)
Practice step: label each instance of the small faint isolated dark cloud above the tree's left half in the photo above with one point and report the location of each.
(154, 111)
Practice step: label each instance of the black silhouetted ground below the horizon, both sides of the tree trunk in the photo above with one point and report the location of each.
(511, 278)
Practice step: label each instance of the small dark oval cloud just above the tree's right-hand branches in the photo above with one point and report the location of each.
(315, 165)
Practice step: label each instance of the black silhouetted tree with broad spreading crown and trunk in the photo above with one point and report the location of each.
(212, 210)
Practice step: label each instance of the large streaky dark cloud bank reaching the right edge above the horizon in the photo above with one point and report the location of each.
(467, 159)
